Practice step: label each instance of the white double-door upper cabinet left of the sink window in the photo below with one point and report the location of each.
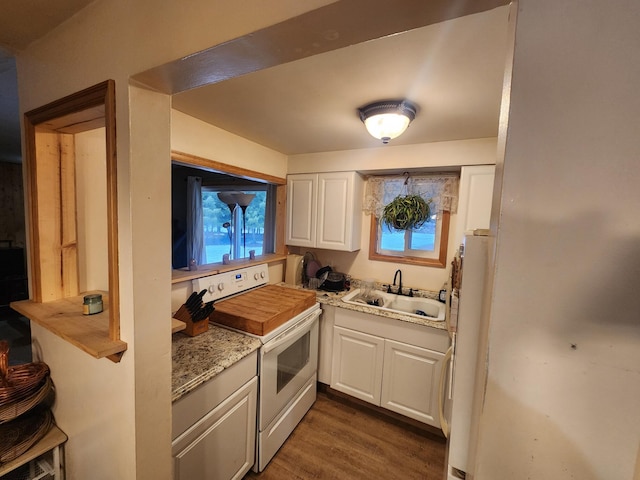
(324, 210)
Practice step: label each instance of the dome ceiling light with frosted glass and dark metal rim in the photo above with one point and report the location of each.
(388, 119)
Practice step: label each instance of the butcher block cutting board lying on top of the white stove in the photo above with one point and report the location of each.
(262, 310)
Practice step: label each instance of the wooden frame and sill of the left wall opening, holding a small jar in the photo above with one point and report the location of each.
(53, 270)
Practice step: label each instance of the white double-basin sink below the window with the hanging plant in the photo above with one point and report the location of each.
(418, 307)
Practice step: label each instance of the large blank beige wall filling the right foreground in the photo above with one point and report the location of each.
(561, 399)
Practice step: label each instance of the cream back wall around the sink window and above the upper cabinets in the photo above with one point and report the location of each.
(396, 158)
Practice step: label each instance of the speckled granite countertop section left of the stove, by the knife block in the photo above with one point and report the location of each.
(200, 358)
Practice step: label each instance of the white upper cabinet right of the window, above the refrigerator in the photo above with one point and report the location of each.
(475, 198)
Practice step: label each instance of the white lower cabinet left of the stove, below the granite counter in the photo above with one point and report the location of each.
(221, 443)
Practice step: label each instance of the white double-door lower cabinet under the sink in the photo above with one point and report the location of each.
(389, 363)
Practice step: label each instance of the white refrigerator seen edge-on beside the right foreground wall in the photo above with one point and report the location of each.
(465, 313)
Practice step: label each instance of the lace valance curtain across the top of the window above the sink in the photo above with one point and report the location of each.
(441, 189)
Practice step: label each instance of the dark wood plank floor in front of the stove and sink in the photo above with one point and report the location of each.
(339, 440)
